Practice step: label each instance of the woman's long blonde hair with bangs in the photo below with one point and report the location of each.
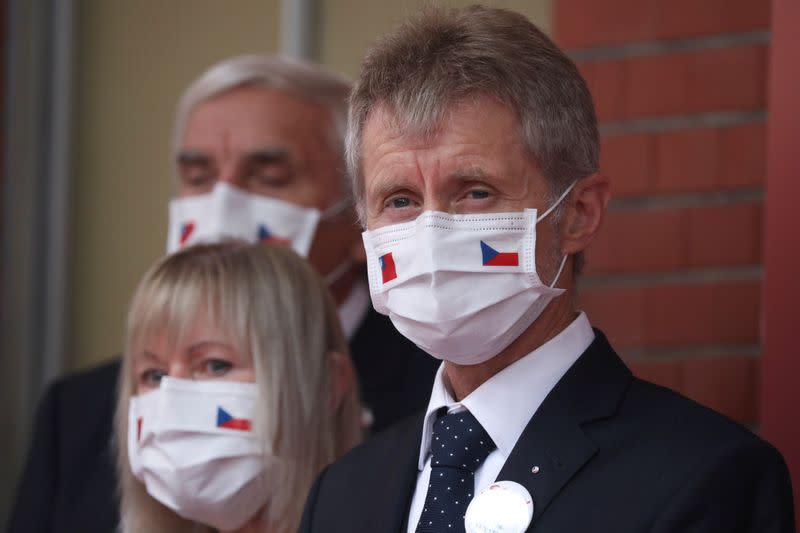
(278, 310)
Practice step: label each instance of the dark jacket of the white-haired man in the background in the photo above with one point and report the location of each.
(69, 481)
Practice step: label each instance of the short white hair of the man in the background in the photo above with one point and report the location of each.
(306, 81)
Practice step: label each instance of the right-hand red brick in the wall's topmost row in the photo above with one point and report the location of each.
(676, 19)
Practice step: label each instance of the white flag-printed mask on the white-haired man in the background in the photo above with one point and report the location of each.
(229, 212)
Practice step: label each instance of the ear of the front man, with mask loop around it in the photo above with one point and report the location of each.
(586, 206)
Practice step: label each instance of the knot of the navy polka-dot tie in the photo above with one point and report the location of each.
(459, 441)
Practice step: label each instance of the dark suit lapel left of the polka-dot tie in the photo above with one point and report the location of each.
(397, 477)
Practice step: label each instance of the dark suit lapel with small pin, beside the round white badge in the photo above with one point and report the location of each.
(553, 440)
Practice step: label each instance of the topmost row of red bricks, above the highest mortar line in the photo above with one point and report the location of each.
(586, 23)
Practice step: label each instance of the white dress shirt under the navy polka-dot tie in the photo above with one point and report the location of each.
(503, 405)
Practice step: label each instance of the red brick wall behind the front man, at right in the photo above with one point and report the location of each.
(675, 277)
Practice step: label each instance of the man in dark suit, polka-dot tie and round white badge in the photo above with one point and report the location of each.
(474, 150)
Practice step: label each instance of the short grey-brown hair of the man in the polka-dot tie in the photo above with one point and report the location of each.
(441, 56)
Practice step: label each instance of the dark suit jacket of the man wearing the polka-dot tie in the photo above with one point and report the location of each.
(616, 454)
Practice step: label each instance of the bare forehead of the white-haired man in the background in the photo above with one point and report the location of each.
(250, 117)
